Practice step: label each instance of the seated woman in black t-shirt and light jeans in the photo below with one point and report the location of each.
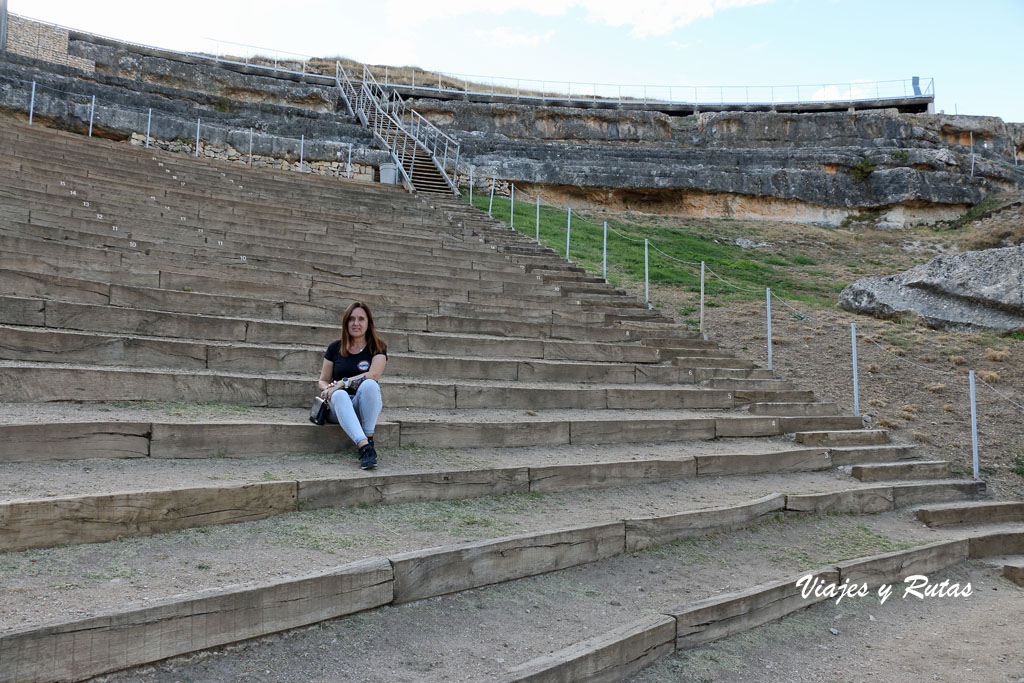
(353, 368)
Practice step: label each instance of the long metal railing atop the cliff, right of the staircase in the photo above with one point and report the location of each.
(665, 95)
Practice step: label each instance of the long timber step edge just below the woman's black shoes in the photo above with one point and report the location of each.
(136, 509)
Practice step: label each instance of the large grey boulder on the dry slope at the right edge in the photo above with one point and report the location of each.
(984, 289)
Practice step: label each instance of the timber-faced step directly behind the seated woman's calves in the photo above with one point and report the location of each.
(29, 443)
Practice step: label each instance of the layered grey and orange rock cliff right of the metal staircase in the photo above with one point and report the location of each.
(804, 167)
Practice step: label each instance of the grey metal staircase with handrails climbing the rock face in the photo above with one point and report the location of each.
(426, 158)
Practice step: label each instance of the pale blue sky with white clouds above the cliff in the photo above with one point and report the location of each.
(968, 48)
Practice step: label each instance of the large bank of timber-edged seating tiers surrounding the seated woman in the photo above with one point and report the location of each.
(135, 276)
